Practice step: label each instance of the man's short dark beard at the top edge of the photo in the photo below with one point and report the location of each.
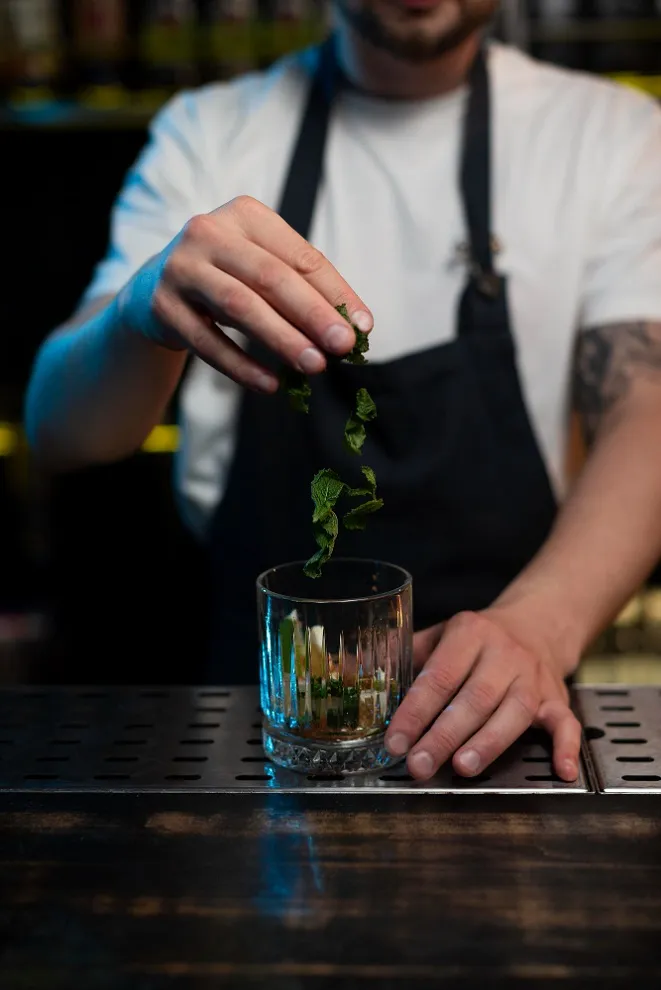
(416, 35)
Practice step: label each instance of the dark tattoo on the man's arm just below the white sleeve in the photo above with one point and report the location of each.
(609, 360)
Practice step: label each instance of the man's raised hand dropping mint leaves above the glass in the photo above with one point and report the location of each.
(242, 266)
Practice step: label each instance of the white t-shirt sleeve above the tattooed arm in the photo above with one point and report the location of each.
(623, 274)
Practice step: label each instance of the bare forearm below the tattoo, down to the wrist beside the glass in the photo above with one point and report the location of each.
(606, 539)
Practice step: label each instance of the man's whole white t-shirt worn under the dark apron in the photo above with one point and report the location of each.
(577, 203)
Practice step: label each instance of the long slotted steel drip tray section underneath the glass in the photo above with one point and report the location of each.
(198, 739)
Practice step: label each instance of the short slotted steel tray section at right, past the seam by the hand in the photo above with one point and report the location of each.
(622, 725)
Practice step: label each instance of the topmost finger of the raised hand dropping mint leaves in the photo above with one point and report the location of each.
(265, 228)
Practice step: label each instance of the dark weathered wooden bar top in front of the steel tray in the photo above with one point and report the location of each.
(287, 891)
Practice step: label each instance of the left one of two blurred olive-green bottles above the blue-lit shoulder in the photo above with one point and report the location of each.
(167, 48)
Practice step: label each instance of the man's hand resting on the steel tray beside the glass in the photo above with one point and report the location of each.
(485, 679)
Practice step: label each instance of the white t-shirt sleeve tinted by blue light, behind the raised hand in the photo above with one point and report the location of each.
(159, 195)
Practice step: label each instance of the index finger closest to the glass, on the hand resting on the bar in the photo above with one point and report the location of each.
(443, 675)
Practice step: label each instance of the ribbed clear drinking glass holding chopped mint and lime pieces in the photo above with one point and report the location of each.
(336, 660)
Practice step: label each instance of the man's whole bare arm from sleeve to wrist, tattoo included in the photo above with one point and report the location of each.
(608, 534)
